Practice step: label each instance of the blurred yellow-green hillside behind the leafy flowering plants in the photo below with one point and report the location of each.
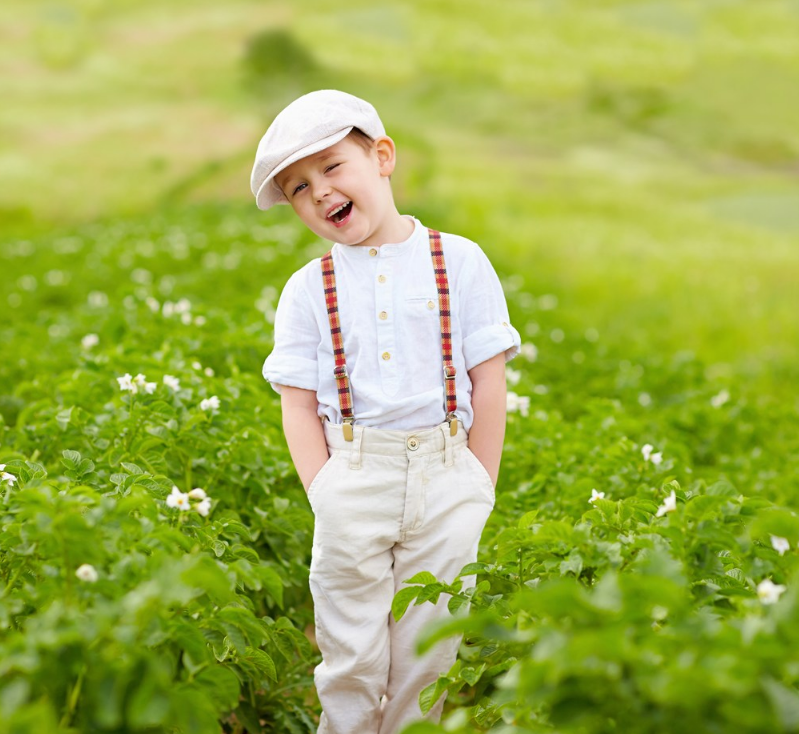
(634, 164)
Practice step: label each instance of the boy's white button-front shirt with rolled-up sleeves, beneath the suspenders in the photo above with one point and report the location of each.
(388, 309)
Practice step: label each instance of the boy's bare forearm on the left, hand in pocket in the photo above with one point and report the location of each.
(304, 433)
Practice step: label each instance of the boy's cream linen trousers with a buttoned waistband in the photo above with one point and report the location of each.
(387, 505)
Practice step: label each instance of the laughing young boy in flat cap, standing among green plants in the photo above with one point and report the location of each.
(389, 358)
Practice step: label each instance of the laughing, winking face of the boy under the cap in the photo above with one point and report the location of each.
(343, 193)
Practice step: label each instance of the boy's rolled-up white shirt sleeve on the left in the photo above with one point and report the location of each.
(293, 360)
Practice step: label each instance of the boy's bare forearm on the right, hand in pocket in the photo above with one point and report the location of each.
(489, 396)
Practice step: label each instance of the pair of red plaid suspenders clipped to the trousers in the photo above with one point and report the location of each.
(340, 369)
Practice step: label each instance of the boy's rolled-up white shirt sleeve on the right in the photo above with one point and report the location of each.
(485, 322)
